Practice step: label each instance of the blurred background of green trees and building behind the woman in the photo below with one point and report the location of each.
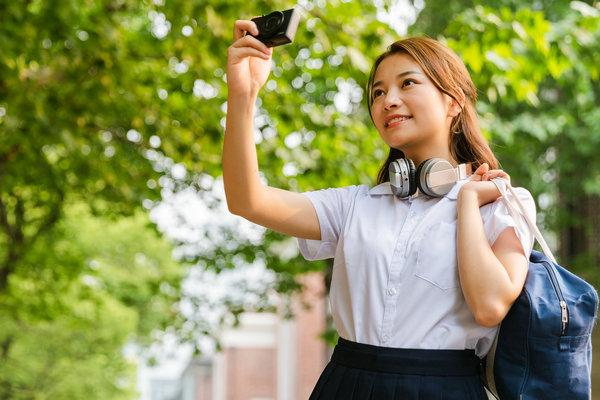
(123, 276)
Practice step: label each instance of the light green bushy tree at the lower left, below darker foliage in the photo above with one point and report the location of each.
(90, 285)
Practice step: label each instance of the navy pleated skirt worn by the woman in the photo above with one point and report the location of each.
(364, 372)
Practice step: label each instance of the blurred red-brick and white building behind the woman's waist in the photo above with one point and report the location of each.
(266, 357)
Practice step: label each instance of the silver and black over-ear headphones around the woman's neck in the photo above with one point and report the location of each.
(434, 177)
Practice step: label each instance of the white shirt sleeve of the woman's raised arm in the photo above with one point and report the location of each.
(331, 206)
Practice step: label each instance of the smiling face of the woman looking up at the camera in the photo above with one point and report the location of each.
(409, 111)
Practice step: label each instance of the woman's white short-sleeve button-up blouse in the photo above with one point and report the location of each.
(395, 275)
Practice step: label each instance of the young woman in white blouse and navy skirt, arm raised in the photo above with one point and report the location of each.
(420, 282)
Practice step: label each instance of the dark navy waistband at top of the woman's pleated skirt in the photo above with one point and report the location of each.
(406, 361)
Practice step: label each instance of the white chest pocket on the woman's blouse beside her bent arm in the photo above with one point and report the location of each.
(436, 257)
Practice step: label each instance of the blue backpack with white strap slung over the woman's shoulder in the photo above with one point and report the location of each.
(543, 349)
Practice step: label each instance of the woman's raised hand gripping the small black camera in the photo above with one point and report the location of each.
(248, 60)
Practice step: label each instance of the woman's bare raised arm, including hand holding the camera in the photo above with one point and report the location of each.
(248, 67)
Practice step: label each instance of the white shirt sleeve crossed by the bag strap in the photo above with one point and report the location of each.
(496, 218)
